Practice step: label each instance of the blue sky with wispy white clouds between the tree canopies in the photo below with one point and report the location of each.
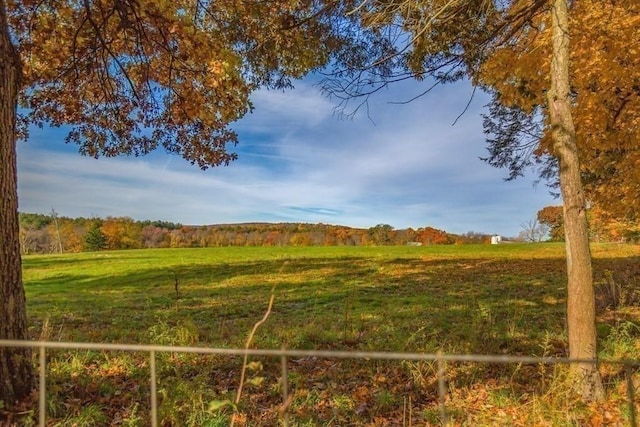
(406, 165)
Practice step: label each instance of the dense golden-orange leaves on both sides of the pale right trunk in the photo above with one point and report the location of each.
(605, 76)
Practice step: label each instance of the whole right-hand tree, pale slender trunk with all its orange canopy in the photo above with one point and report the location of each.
(580, 123)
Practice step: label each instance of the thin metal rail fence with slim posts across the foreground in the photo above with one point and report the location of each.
(283, 355)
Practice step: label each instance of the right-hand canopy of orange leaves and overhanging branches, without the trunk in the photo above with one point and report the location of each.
(505, 49)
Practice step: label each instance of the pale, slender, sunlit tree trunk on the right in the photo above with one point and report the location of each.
(581, 323)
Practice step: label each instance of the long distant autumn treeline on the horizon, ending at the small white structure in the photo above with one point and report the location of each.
(50, 234)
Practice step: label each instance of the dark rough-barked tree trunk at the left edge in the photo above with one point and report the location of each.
(16, 368)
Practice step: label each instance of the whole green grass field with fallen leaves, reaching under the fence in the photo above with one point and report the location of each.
(501, 299)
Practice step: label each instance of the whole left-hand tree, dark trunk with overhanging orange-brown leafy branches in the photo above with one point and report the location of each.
(130, 76)
